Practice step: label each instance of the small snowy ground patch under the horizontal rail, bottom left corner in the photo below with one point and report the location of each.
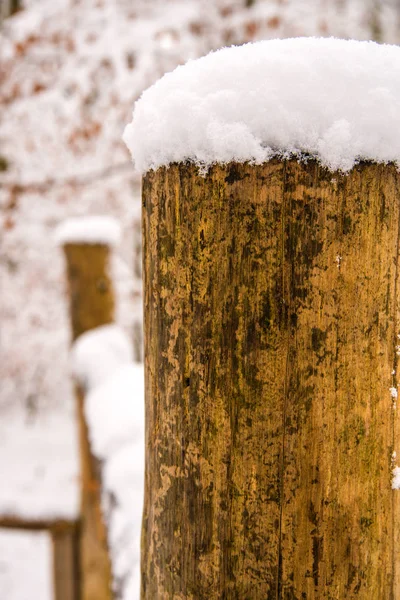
(25, 565)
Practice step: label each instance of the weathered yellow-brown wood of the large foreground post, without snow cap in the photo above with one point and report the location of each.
(271, 323)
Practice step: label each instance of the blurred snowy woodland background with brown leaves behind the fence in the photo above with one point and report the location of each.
(70, 71)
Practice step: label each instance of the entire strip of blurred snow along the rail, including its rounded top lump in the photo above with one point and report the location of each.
(114, 410)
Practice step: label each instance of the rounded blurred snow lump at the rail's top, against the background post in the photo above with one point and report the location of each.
(97, 353)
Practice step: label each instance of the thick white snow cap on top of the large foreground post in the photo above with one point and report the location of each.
(336, 100)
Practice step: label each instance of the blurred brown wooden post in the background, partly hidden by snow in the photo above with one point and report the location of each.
(91, 299)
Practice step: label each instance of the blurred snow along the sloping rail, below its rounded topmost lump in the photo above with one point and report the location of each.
(115, 415)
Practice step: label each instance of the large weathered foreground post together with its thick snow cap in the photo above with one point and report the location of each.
(271, 263)
